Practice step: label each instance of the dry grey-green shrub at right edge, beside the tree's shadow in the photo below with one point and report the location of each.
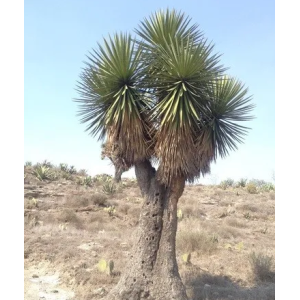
(262, 266)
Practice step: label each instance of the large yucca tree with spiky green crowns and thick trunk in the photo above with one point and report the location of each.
(161, 98)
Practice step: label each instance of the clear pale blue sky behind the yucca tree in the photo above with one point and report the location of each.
(58, 35)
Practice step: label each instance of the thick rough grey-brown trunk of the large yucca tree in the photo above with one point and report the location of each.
(152, 272)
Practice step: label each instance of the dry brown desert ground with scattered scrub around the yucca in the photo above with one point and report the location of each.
(75, 226)
